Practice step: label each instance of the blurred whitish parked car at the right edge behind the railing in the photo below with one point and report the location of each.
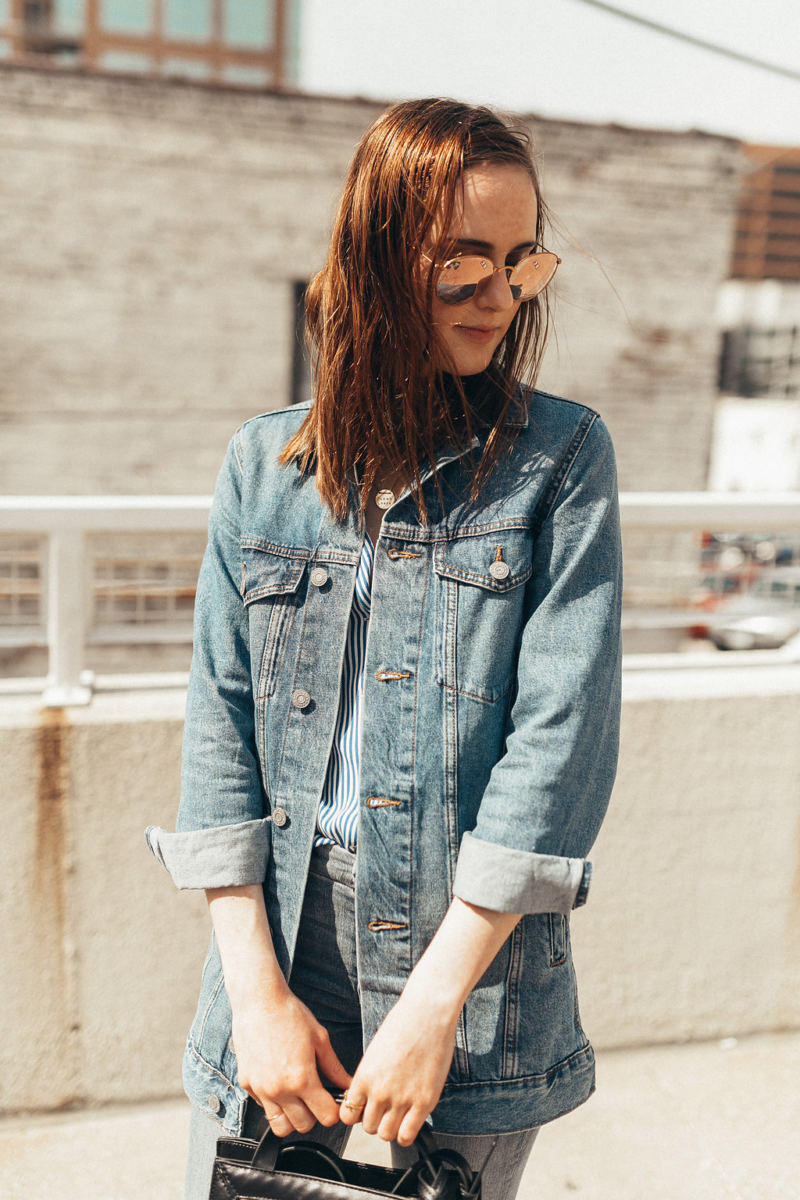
(765, 617)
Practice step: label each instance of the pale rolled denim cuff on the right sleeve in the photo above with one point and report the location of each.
(518, 880)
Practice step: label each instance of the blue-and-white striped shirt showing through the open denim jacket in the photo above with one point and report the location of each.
(338, 819)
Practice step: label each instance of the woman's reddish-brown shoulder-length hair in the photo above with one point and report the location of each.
(384, 388)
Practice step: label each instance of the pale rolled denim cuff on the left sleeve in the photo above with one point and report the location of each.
(218, 857)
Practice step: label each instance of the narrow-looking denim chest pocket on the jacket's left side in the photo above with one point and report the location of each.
(270, 589)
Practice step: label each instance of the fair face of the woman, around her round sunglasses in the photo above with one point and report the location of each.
(495, 217)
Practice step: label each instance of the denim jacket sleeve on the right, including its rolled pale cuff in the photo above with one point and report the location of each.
(549, 793)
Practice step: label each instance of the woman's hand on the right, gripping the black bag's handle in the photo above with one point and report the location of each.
(404, 1071)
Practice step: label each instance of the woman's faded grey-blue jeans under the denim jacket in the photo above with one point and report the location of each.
(324, 976)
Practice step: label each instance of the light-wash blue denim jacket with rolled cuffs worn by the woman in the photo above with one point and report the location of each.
(491, 716)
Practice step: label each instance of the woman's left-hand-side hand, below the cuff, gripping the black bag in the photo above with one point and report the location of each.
(281, 1049)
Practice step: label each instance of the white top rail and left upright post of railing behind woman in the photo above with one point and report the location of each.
(67, 523)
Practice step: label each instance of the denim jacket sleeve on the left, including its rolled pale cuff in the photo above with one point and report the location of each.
(222, 836)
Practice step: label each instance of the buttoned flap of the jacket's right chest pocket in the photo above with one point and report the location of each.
(498, 561)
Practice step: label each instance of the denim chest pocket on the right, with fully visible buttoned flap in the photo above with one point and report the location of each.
(479, 610)
